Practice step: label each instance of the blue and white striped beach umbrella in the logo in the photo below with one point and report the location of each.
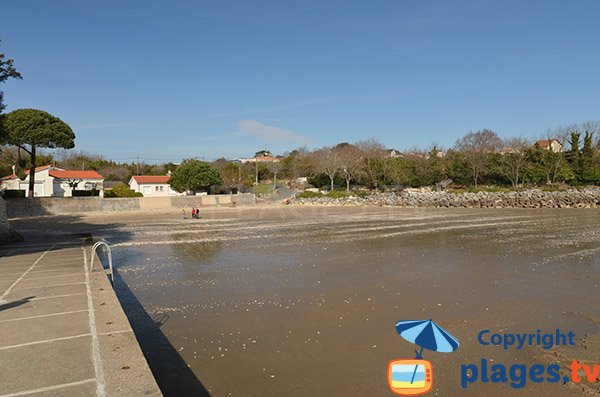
(428, 335)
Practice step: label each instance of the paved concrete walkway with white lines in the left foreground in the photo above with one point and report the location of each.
(62, 329)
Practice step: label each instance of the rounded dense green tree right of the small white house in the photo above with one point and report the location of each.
(194, 175)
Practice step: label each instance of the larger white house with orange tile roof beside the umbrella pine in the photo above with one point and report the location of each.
(51, 181)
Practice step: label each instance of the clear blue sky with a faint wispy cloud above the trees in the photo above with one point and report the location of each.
(167, 80)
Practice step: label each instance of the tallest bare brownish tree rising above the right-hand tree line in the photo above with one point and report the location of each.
(477, 147)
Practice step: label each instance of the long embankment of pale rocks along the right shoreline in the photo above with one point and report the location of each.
(586, 198)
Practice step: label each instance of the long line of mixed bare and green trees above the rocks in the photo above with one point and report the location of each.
(478, 158)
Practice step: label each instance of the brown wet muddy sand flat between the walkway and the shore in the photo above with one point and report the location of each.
(303, 300)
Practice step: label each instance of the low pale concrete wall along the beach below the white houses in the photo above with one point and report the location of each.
(76, 205)
